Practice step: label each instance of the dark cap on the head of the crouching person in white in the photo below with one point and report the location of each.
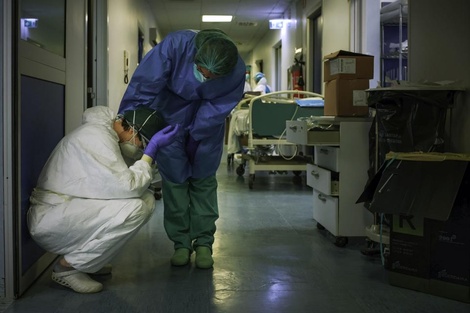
(145, 120)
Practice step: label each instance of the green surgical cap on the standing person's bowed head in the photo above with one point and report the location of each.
(216, 52)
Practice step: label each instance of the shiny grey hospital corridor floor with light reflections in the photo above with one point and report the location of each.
(269, 257)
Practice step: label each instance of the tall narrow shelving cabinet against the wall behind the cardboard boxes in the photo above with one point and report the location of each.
(394, 39)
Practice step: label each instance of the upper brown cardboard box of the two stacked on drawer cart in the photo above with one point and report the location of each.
(348, 65)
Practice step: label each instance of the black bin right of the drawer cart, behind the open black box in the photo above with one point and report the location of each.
(407, 120)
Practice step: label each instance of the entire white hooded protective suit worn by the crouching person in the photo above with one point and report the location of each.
(88, 203)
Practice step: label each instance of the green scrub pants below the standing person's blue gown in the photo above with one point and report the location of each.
(190, 212)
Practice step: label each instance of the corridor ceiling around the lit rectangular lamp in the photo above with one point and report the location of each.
(250, 17)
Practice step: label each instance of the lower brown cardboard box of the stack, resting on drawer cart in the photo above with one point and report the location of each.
(339, 100)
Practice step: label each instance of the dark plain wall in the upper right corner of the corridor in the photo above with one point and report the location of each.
(439, 38)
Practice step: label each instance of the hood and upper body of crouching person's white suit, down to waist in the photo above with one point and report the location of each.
(88, 163)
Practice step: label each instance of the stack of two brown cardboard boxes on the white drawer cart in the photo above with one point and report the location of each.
(346, 76)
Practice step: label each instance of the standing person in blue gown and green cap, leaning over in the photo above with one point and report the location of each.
(193, 78)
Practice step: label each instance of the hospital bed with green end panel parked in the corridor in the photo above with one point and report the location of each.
(262, 119)
